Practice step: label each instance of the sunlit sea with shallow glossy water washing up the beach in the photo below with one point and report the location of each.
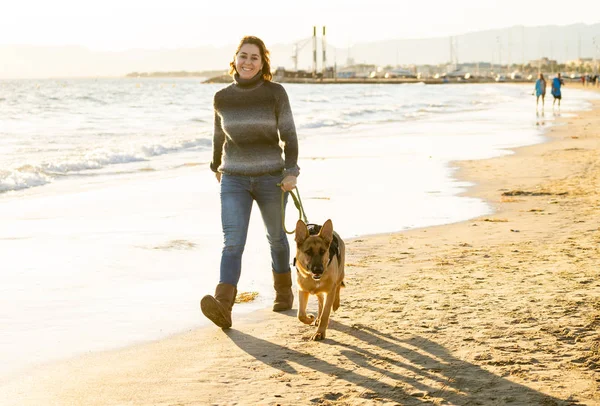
(109, 215)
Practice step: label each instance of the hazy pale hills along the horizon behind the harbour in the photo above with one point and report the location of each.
(514, 44)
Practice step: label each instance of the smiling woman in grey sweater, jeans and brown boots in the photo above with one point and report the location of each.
(253, 118)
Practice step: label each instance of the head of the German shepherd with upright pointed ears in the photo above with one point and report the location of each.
(312, 251)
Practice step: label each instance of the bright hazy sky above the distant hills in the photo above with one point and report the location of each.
(118, 25)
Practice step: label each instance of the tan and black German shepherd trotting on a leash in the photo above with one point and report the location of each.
(320, 258)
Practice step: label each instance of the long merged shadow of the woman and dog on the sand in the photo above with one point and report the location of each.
(418, 367)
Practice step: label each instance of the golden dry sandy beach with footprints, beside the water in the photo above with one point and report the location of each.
(501, 309)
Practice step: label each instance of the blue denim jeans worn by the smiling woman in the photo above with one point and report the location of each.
(237, 196)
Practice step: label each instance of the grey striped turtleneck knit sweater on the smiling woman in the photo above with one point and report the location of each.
(251, 118)
